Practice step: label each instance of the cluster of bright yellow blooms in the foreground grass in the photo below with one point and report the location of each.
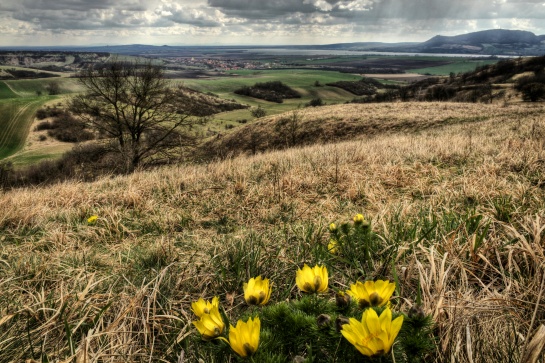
(373, 335)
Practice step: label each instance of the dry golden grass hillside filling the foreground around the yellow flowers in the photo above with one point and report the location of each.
(454, 194)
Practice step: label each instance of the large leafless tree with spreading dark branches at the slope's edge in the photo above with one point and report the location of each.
(132, 104)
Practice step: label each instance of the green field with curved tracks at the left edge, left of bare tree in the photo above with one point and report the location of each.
(16, 117)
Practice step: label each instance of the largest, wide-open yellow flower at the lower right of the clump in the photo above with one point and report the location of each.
(373, 335)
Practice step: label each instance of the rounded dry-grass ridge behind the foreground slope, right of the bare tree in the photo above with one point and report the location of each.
(332, 123)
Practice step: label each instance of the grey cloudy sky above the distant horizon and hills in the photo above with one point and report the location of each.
(231, 22)
